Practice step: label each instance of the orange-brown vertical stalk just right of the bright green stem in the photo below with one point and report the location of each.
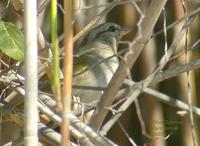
(68, 70)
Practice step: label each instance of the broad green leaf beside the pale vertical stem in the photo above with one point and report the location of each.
(11, 41)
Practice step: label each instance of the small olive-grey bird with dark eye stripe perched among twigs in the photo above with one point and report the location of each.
(96, 61)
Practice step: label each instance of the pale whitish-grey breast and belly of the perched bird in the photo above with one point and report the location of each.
(101, 66)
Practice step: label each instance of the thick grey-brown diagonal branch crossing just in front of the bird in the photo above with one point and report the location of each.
(144, 32)
